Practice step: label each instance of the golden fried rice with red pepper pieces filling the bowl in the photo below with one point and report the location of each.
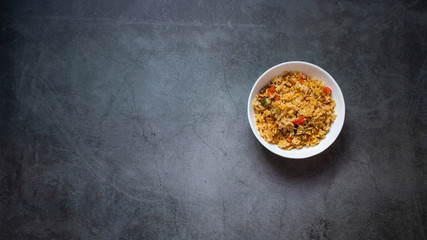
(294, 110)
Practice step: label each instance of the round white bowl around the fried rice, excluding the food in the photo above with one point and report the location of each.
(313, 71)
